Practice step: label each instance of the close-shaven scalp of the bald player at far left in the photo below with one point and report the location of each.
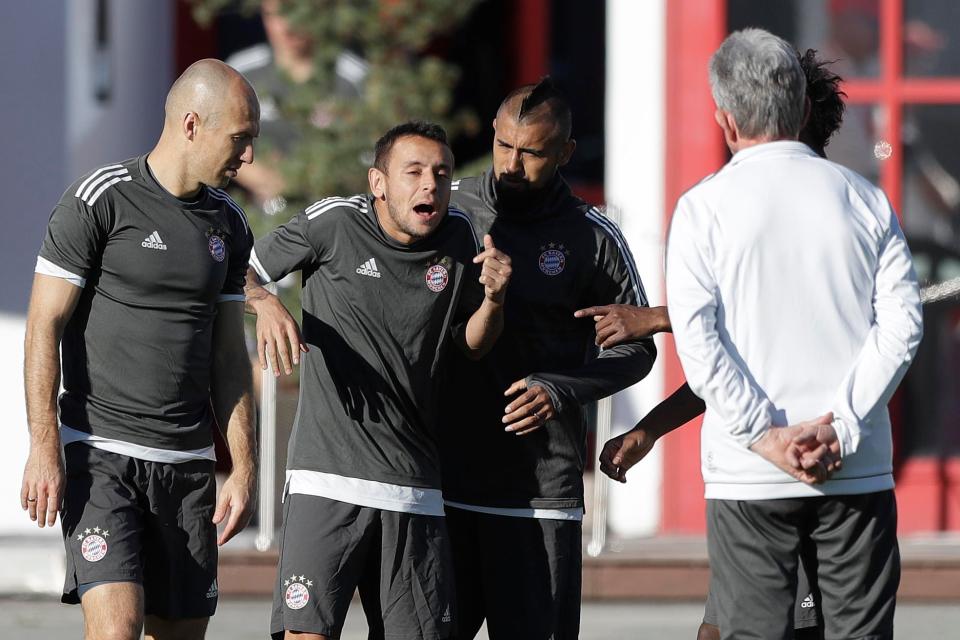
(206, 88)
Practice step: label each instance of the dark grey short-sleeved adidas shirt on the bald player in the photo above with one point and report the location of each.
(137, 351)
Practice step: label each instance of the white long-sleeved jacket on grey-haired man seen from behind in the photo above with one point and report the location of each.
(792, 293)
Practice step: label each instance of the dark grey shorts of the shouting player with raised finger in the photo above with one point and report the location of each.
(400, 562)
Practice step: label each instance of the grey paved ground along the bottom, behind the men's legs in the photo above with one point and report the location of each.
(247, 620)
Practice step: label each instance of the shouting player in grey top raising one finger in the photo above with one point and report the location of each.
(388, 278)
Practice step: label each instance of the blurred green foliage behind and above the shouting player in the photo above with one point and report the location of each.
(337, 133)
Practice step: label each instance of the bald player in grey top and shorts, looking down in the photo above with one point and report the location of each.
(140, 283)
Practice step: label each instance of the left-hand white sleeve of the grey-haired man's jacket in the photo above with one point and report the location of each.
(693, 304)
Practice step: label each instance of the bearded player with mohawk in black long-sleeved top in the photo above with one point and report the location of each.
(514, 431)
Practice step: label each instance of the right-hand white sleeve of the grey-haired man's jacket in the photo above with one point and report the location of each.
(890, 345)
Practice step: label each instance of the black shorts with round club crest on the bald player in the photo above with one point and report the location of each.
(130, 520)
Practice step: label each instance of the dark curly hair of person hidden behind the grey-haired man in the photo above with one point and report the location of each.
(826, 101)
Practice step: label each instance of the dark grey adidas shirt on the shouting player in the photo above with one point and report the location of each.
(377, 316)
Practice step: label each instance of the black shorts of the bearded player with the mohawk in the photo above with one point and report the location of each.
(523, 575)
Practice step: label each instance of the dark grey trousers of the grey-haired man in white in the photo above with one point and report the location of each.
(754, 547)
